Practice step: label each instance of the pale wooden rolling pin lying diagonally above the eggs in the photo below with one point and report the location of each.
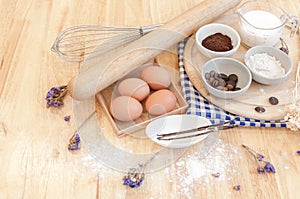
(102, 71)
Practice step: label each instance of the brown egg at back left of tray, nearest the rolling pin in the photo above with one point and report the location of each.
(134, 87)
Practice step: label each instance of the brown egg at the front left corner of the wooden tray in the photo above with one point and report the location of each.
(125, 108)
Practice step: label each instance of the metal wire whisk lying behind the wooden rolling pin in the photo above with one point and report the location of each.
(83, 42)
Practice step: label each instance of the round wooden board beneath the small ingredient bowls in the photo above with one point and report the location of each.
(258, 94)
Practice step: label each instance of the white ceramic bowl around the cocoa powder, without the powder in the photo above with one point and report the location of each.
(211, 29)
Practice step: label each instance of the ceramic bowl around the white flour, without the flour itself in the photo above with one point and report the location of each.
(283, 58)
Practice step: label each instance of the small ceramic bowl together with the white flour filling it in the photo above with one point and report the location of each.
(268, 65)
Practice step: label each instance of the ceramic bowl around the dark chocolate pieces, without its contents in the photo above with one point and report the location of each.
(227, 66)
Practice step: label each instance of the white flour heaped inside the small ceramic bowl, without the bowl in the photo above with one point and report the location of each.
(265, 65)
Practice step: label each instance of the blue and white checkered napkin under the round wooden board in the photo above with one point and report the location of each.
(198, 105)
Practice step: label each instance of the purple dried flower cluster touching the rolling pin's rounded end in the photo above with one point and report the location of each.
(55, 95)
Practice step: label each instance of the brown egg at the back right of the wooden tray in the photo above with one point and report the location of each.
(157, 77)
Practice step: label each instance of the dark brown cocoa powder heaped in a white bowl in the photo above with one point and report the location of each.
(217, 42)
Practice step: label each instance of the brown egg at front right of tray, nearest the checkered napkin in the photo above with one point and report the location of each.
(160, 102)
